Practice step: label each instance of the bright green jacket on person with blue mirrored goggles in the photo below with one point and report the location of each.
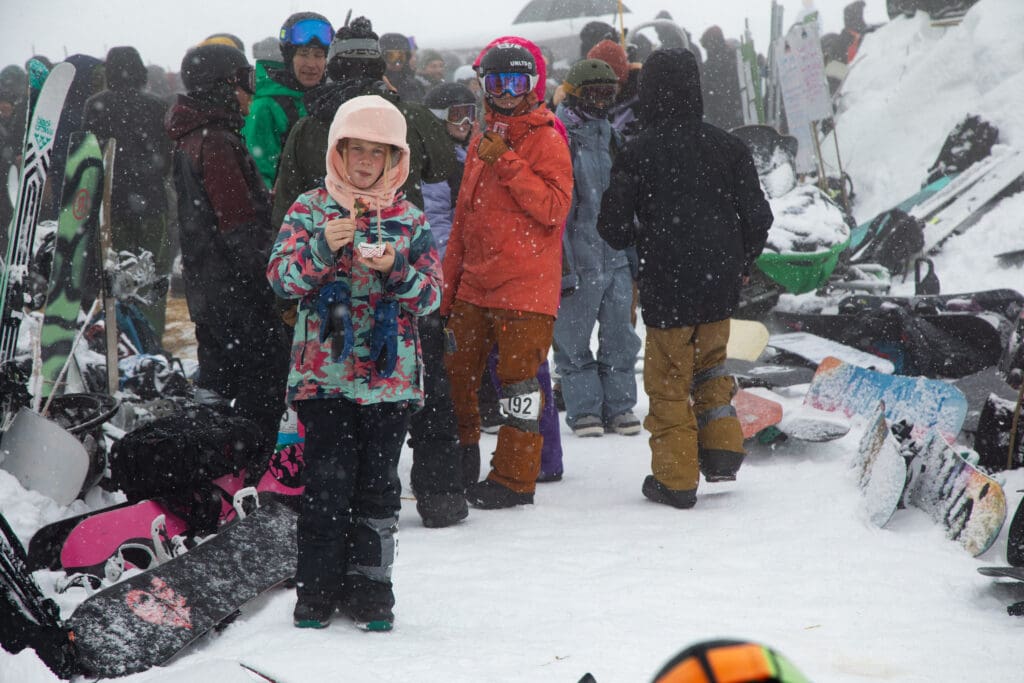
(277, 107)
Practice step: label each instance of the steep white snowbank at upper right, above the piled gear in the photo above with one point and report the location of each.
(912, 83)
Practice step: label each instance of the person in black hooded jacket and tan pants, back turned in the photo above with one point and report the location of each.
(687, 195)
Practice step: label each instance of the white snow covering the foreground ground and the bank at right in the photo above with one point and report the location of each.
(595, 578)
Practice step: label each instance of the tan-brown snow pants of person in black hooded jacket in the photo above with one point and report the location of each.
(681, 364)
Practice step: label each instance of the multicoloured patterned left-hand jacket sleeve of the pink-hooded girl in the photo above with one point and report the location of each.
(301, 260)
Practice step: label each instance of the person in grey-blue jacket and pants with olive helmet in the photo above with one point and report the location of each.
(602, 392)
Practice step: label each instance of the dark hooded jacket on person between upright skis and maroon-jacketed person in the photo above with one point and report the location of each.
(136, 120)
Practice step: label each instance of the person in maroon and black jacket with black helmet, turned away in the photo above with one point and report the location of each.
(227, 236)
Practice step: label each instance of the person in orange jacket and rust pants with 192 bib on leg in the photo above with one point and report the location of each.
(503, 270)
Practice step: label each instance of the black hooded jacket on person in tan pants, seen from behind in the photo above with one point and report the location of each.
(688, 196)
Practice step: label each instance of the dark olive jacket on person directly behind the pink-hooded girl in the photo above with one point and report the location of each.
(304, 158)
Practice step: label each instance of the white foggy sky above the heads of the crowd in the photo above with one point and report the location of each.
(162, 31)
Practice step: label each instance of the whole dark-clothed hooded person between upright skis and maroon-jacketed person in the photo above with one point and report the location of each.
(142, 164)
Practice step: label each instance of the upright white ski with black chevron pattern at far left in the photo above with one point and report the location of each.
(35, 166)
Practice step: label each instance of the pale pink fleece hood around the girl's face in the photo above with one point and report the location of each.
(369, 118)
